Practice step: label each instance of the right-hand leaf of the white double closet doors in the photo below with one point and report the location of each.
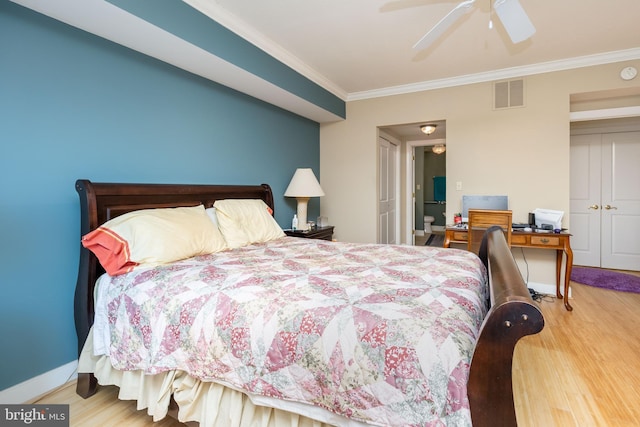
(620, 213)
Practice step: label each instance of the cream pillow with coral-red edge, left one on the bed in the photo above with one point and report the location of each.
(153, 236)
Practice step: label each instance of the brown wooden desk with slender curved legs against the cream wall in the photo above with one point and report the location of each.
(522, 239)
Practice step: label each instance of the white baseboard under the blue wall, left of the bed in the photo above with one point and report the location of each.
(27, 391)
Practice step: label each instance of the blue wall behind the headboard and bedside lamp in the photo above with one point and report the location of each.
(73, 105)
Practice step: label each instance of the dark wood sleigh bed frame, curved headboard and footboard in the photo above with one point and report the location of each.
(512, 314)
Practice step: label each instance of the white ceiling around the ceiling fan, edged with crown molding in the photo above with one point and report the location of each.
(363, 48)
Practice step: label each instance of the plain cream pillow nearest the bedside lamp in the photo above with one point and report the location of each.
(246, 221)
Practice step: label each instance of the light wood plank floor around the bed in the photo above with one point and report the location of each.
(582, 370)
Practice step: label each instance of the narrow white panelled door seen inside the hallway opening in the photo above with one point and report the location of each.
(387, 190)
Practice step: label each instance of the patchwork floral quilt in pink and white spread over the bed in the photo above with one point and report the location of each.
(381, 334)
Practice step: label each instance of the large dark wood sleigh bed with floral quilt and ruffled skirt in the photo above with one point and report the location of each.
(371, 370)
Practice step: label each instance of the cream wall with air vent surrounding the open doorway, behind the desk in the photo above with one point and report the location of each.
(522, 152)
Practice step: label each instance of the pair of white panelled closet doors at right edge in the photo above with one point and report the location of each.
(605, 200)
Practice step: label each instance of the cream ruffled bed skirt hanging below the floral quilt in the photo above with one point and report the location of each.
(209, 404)
